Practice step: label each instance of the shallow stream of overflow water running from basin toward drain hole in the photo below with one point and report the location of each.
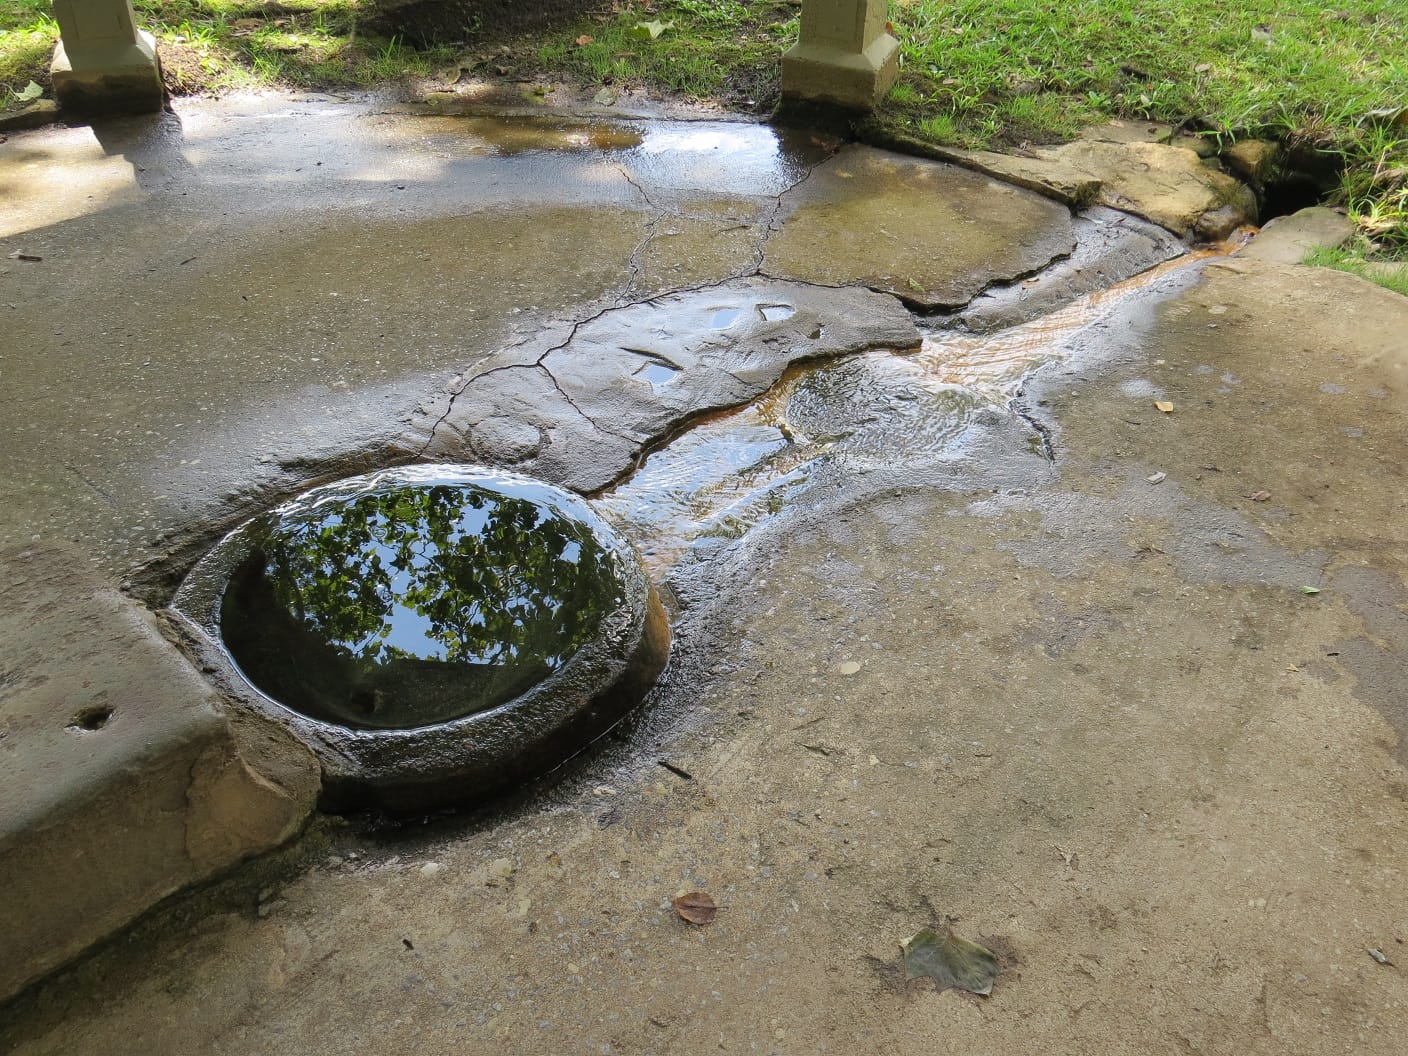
(734, 470)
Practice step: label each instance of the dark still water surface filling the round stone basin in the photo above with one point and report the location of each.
(413, 606)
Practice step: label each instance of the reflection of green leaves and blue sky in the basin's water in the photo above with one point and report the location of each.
(448, 574)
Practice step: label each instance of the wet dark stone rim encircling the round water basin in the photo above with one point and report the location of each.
(468, 758)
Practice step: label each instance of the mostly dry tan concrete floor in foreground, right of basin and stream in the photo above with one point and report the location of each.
(1089, 719)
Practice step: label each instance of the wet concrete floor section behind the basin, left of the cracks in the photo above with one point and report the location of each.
(417, 246)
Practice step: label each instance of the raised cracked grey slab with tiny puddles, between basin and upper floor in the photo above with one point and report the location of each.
(582, 409)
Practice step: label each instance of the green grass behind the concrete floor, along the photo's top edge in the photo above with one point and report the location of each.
(975, 73)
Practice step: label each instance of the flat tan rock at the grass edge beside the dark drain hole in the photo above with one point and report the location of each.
(1162, 184)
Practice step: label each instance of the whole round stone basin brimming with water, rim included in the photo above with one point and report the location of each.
(434, 631)
